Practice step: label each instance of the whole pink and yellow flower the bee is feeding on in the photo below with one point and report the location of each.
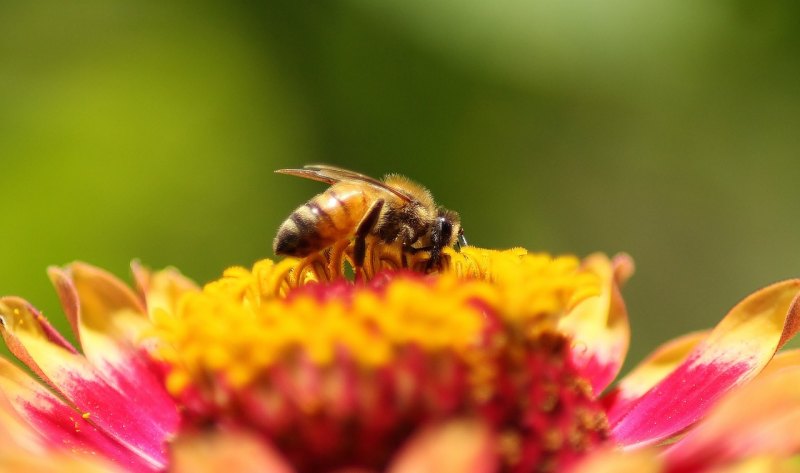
(495, 361)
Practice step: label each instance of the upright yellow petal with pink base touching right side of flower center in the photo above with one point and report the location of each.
(599, 325)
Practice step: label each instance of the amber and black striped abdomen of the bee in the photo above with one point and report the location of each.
(323, 220)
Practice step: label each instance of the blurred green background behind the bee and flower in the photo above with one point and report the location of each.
(669, 130)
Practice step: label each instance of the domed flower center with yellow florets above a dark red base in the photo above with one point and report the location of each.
(338, 374)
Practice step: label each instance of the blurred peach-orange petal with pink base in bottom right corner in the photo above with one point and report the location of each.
(760, 418)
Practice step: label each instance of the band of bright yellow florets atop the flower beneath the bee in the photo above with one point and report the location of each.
(249, 320)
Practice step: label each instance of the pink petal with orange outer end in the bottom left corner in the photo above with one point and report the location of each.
(40, 423)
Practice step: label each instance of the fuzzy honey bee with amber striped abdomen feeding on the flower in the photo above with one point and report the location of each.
(395, 209)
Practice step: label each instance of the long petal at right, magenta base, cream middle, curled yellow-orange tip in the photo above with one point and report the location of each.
(734, 352)
